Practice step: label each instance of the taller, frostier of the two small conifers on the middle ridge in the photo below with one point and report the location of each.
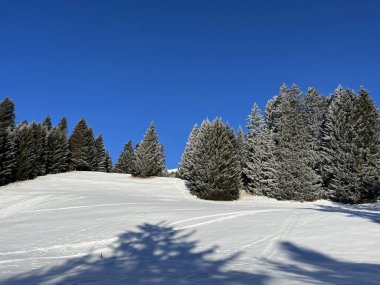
(148, 158)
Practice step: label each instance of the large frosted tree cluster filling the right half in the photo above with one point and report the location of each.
(305, 147)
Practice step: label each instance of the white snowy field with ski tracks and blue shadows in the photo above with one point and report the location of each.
(96, 228)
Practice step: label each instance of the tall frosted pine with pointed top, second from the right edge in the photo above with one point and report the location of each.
(339, 150)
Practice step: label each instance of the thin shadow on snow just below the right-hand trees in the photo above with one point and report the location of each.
(369, 212)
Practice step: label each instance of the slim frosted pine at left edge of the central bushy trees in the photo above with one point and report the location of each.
(187, 163)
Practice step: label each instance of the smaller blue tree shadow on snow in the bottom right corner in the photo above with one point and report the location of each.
(308, 266)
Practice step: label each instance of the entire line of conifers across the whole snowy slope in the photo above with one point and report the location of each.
(304, 147)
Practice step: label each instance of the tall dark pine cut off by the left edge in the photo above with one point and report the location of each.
(7, 141)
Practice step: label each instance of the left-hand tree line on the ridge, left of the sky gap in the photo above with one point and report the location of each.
(34, 149)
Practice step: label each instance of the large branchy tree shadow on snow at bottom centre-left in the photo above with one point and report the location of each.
(153, 254)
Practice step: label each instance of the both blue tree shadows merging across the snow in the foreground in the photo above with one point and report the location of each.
(160, 254)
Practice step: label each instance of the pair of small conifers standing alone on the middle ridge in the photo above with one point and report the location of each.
(147, 159)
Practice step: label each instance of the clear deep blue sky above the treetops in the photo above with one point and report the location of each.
(121, 64)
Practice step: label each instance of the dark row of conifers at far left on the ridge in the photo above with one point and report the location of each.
(33, 149)
